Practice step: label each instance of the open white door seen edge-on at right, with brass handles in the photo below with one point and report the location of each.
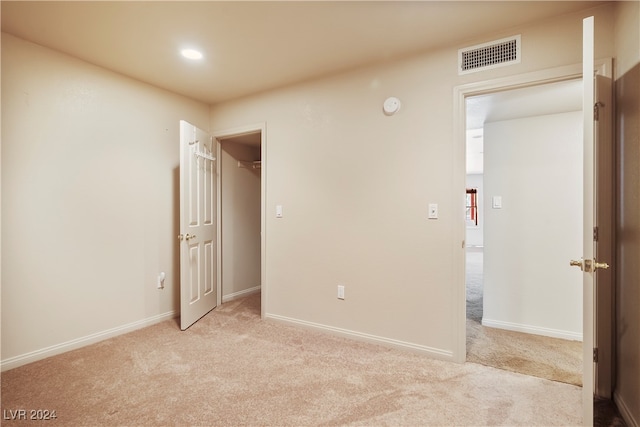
(588, 264)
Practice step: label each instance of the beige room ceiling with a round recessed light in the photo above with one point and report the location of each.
(251, 47)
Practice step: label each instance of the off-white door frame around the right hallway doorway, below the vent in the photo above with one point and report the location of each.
(460, 93)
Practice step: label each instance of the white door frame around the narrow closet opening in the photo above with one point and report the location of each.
(230, 133)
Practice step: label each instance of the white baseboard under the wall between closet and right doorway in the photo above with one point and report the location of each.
(429, 351)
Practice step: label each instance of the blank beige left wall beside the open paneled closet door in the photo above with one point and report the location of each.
(89, 201)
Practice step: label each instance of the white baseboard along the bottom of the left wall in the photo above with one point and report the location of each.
(23, 359)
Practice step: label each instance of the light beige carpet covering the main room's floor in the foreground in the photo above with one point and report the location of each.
(234, 369)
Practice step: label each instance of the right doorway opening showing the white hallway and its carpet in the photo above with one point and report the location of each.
(524, 187)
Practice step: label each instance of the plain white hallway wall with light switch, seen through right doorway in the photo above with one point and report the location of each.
(535, 165)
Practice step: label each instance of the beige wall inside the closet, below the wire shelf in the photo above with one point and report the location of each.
(240, 198)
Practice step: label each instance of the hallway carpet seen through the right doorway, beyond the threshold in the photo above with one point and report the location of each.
(551, 358)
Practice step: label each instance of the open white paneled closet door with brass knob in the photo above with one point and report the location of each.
(198, 276)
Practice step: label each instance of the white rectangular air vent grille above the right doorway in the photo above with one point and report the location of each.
(497, 53)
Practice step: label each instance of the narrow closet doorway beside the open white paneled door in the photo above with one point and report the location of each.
(241, 218)
